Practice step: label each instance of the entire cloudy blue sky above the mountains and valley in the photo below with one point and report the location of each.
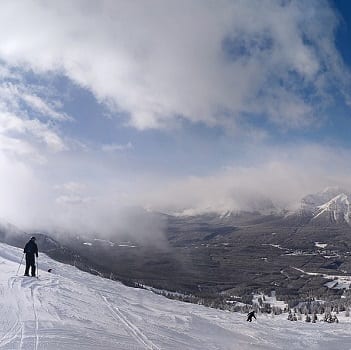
(172, 106)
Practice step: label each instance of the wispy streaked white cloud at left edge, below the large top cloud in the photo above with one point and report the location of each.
(26, 119)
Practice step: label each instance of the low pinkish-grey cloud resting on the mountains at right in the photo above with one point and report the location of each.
(282, 176)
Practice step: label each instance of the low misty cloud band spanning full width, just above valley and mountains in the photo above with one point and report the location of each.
(73, 194)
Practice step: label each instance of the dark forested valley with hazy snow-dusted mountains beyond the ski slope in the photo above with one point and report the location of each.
(238, 252)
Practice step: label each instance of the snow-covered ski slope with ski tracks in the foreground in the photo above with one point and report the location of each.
(70, 309)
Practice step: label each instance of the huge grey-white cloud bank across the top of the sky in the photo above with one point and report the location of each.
(198, 60)
